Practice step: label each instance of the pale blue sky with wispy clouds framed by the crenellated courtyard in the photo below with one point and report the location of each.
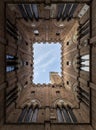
(47, 58)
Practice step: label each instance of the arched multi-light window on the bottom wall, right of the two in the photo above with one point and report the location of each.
(64, 111)
